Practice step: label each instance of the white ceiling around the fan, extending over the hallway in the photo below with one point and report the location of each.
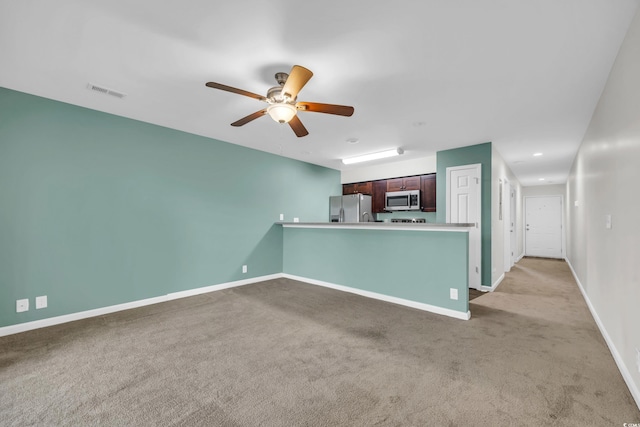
(423, 75)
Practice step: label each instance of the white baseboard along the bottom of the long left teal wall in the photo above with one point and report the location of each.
(51, 321)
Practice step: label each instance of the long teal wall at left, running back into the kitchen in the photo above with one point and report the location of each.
(98, 210)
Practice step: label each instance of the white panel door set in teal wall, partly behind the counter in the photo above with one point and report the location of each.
(463, 206)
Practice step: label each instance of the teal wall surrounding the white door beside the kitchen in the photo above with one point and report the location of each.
(473, 154)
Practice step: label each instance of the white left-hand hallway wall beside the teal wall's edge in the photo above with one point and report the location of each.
(500, 173)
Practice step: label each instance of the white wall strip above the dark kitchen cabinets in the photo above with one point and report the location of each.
(397, 169)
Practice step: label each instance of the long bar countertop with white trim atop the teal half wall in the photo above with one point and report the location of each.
(380, 226)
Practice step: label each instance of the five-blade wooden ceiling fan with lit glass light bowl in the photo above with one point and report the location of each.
(283, 107)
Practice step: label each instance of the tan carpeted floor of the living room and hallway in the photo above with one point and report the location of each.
(284, 353)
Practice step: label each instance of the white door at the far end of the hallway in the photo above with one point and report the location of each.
(543, 226)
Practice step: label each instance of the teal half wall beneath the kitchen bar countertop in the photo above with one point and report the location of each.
(414, 265)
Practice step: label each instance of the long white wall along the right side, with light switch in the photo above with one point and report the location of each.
(603, 181)
